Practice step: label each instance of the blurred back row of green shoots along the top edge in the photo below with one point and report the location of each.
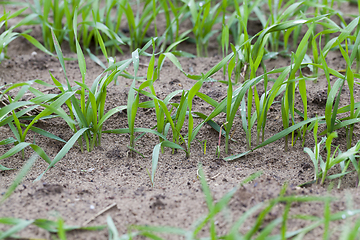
(127, 22)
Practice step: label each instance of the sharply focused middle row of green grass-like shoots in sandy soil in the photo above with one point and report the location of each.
(86, 104)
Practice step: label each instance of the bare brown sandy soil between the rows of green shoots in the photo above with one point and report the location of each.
(82, 184)
